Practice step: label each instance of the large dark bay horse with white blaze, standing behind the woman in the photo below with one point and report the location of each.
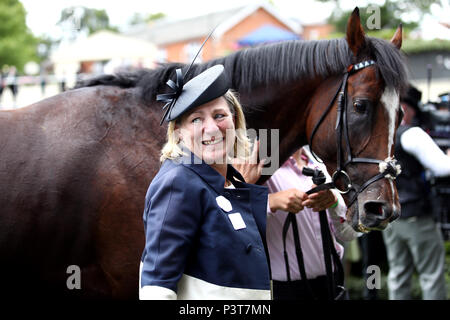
(74, 168)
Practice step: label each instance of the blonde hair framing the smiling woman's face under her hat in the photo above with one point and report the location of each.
(172, 150)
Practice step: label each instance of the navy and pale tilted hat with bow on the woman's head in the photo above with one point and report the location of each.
(203, 88)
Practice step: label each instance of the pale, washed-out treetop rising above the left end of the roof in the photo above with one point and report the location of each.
(82, 19)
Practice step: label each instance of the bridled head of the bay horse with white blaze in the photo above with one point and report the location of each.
(355, 129)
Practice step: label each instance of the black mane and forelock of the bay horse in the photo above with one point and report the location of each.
(268, 64)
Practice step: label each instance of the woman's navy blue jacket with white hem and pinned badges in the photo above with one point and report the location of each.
(193, 250)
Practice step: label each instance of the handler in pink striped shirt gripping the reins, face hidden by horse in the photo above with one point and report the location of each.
(287, 193)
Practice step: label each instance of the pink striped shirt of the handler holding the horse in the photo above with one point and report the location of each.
(286, 177)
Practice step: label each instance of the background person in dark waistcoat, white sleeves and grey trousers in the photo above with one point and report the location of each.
(414, 241)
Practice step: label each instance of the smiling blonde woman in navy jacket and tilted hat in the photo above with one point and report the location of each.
(204, 225)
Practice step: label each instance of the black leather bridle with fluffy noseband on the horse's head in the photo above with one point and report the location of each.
(388, 168)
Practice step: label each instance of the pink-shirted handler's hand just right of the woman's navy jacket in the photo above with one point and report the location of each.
(287, 200)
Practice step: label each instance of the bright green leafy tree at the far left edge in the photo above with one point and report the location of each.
(17, 43)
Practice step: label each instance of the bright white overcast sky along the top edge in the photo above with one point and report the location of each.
(42, 15)
